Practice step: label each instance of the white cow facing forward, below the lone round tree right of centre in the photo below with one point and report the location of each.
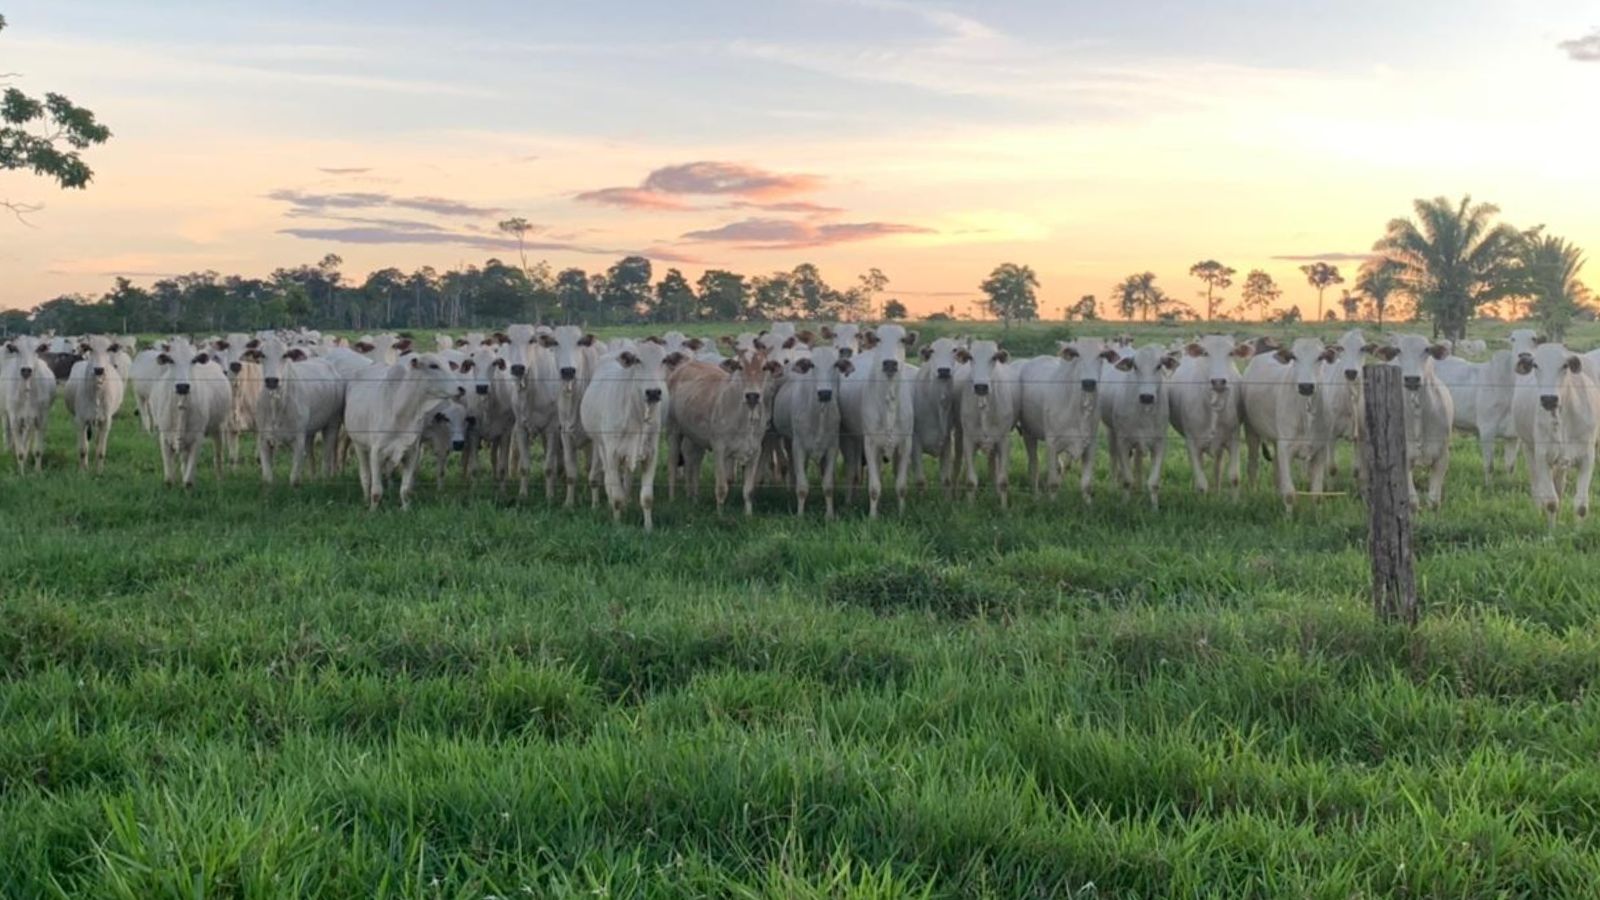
(990, 403)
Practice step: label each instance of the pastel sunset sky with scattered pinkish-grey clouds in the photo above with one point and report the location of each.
(930, 140)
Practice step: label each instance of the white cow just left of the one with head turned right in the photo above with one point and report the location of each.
(300, 398)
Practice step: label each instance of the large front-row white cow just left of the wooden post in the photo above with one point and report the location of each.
(1282, 411)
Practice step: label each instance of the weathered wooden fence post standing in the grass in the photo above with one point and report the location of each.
(1388, 497)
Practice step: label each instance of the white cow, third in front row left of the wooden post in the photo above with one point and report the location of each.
(1135, 401)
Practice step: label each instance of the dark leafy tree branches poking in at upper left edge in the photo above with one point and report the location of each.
(46, 137)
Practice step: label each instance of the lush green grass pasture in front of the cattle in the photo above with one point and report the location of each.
(246, 693)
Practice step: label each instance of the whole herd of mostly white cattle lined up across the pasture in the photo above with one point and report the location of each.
(778, 401)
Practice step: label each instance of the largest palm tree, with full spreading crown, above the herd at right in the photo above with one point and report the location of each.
(1454, 259)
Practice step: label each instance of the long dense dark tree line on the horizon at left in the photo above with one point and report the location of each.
(322, 297)
